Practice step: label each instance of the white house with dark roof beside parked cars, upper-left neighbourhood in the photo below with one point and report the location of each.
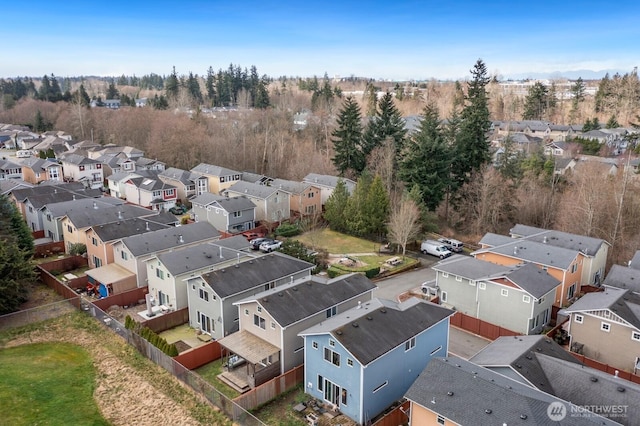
(150, 193)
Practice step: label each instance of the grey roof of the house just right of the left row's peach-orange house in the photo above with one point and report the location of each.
(164, 239)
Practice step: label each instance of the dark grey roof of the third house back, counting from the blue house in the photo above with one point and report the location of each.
(252, 273)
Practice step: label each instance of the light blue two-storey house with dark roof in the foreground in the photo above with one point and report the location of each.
(363, 360)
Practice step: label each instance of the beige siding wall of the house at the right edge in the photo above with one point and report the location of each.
(599, 344)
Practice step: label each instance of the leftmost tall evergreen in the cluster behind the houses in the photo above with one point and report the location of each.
(347, 140)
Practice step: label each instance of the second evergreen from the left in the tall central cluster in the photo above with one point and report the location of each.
(387, 123)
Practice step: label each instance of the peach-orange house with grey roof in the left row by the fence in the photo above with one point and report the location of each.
(100, 238)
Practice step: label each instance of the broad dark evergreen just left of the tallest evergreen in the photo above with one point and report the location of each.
(426, 162)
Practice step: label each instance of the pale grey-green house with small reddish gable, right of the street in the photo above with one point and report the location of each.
(517, 297)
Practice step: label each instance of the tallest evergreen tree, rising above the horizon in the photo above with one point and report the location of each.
(472, 144)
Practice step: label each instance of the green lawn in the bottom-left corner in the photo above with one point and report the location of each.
(47, 384)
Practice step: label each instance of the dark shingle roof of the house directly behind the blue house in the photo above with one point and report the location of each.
(291, 303)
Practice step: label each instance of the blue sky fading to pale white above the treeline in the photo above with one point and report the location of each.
(377, 39)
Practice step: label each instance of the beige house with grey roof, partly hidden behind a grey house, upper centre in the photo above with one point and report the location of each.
(272, 204)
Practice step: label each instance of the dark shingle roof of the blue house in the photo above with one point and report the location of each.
(376, 327)
